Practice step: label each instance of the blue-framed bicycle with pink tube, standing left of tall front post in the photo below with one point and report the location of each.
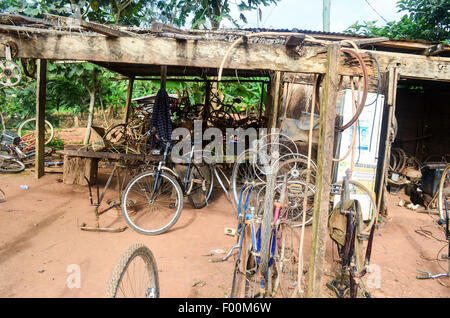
(267, 263)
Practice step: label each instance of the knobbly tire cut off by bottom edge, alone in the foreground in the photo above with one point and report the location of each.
(151, 290)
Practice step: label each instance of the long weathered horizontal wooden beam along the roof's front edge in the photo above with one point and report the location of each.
(150, 50)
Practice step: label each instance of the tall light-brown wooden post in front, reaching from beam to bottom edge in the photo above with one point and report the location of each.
(323, 176)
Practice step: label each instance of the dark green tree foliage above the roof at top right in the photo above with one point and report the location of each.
(425, 19)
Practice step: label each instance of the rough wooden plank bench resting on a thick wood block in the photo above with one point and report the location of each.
(80, 164)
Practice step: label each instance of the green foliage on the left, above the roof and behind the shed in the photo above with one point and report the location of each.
(68, 85)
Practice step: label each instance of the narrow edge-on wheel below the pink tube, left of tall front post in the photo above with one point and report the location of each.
(287, 261)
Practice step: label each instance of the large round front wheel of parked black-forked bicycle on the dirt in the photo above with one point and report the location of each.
(152, 216)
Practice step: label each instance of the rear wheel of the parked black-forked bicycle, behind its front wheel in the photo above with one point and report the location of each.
(200, 185)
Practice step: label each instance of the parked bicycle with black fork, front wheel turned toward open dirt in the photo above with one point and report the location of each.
(153, 200)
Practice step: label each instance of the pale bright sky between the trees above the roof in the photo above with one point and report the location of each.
(307, 14)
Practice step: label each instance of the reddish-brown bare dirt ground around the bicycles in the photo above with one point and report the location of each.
(40, 238)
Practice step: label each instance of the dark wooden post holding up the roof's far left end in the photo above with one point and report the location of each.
(41, 85)
